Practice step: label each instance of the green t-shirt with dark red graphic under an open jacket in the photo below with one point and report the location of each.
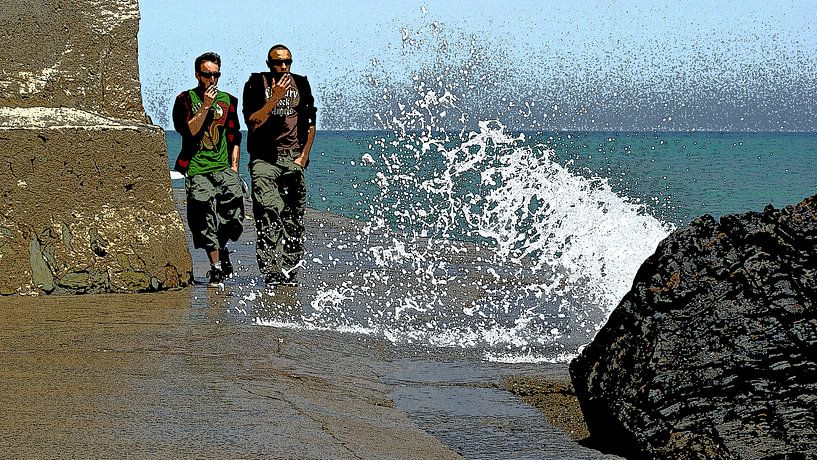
(212, 154)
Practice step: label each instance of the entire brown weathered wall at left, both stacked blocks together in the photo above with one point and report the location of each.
(85, 199)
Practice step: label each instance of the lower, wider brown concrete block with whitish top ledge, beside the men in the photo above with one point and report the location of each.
(86, 205)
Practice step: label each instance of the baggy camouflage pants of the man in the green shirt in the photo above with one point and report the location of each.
(215, 208)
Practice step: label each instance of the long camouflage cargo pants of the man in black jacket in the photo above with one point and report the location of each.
(279, 200)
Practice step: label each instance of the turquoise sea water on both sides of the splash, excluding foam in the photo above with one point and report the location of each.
(677, 176)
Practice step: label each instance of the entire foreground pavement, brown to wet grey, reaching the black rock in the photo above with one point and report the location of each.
(188, 374)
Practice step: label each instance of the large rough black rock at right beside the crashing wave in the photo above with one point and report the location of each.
(712, 354)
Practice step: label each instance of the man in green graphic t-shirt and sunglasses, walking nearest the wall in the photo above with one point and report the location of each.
(207, 120)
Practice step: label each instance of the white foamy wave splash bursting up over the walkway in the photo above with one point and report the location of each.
(477, 237)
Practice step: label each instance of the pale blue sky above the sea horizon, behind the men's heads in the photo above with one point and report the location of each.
(747, 65)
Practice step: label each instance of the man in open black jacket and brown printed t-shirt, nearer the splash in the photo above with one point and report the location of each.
(280, 114)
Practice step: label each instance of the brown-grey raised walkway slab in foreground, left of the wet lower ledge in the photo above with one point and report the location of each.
(150, 376)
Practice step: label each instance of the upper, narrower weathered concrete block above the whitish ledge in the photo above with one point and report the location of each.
(78, 53)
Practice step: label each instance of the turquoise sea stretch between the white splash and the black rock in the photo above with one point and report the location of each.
(683, 175)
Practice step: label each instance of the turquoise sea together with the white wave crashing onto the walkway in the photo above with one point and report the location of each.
(514, 245)
